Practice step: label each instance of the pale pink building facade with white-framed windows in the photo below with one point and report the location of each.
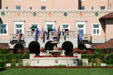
(74, 15)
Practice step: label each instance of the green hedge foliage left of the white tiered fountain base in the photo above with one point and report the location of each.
(12, 58)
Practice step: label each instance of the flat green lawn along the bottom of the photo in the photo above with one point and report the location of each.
(56, 71)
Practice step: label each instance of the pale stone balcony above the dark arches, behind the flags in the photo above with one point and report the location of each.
(70, 35)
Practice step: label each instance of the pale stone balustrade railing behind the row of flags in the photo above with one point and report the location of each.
(69, 34)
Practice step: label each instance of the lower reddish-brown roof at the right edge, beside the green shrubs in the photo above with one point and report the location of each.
(106, 45)
